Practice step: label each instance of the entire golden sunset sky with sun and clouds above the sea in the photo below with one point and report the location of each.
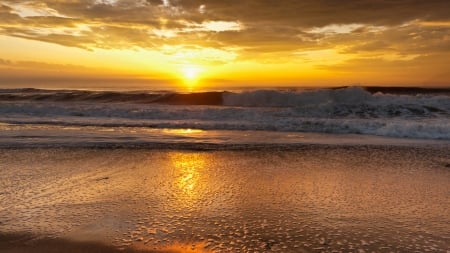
(224, 43)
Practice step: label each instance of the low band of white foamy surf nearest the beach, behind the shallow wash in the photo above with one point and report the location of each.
(402, 128)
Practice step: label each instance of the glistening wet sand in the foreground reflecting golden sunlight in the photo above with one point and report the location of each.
(308, 199)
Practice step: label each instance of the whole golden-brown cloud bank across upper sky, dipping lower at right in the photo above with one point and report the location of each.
(394, 34)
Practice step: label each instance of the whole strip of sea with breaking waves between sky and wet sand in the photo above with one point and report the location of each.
(38, 117)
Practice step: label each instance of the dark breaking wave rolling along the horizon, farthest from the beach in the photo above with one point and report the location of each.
(253, 98)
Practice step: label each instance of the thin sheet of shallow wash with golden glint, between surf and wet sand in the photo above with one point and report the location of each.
(208, 140)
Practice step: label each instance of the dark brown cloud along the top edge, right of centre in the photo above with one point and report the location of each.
(311, 13)
